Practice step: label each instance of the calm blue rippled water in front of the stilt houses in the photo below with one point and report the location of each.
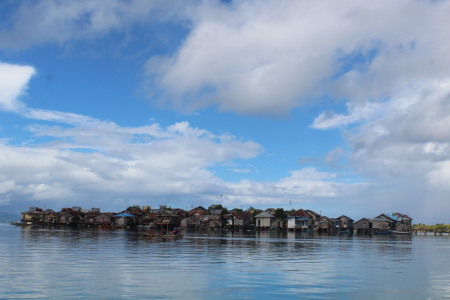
(103, 264)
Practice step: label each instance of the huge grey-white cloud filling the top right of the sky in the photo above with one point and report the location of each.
(267, 58)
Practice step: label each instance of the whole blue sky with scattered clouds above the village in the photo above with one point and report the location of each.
(341, 107)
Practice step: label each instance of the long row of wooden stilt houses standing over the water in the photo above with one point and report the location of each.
(216, 217)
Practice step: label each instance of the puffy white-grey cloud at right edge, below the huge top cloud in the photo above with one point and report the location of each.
(413, 130)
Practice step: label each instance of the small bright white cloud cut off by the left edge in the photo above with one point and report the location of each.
(13, 83)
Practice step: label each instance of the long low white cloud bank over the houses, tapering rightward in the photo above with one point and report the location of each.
(164, 165)
